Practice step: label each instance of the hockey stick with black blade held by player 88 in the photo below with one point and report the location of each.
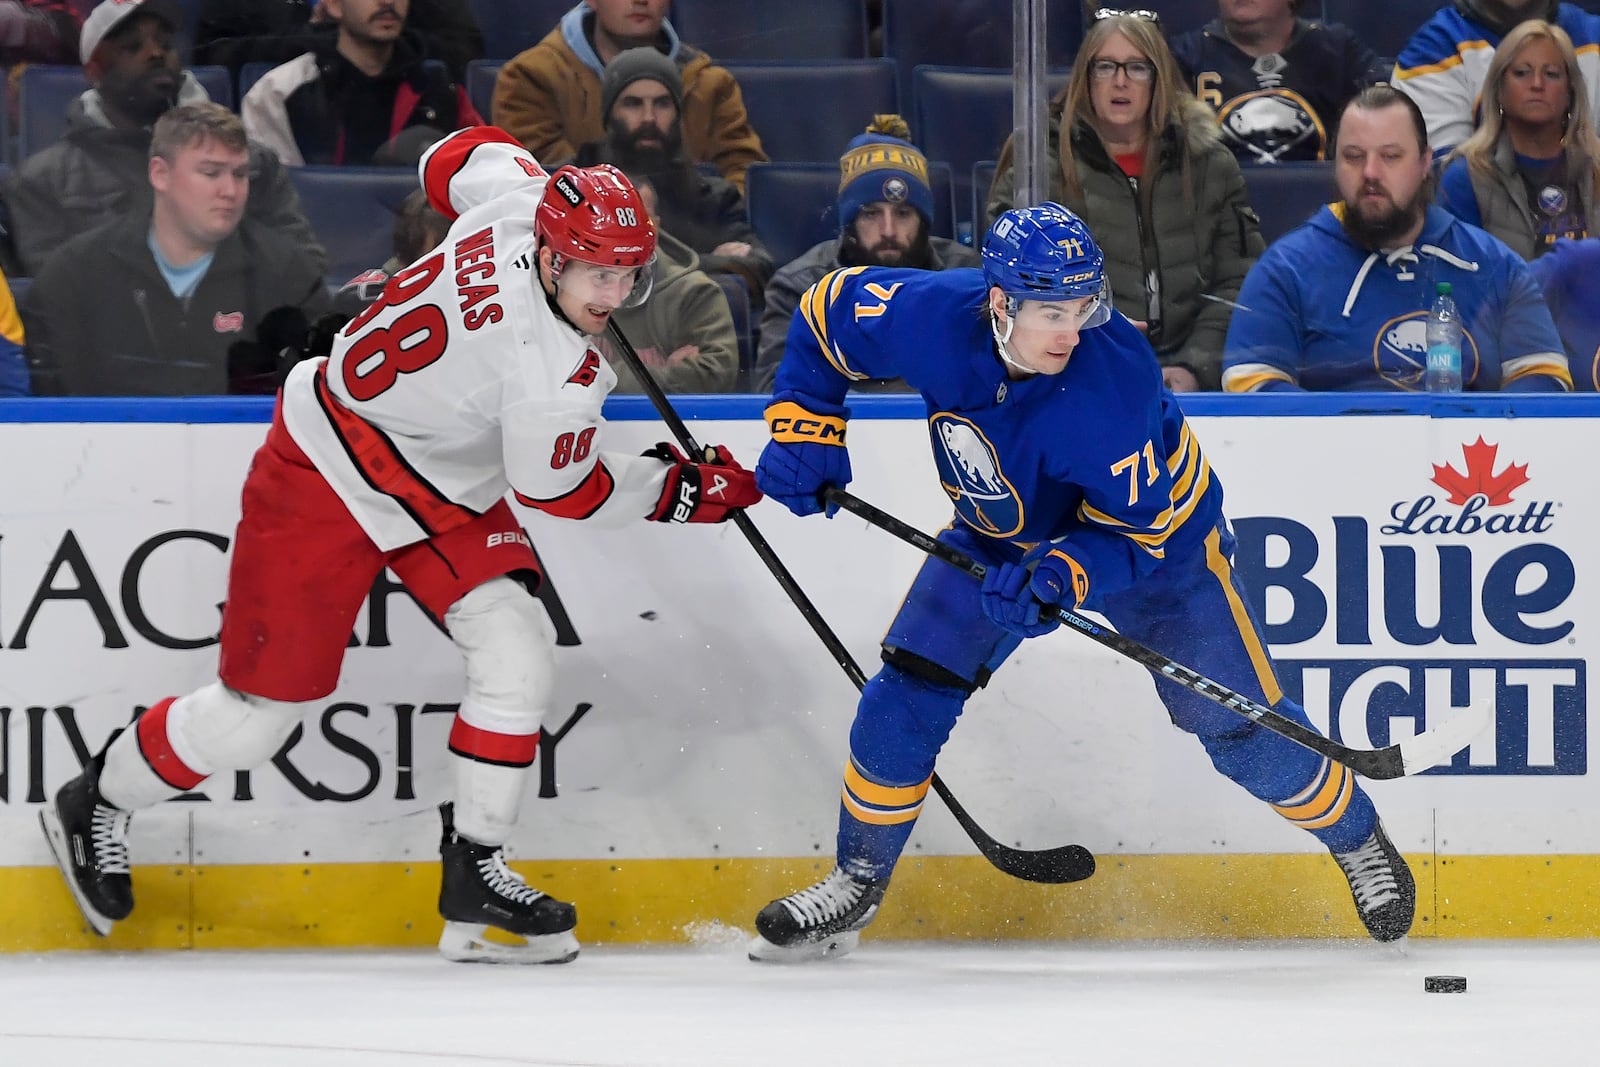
(1052, 866)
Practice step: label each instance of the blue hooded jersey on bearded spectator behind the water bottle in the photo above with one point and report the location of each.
(1321, 313)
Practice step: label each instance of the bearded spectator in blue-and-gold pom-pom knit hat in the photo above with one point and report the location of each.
(886, 215)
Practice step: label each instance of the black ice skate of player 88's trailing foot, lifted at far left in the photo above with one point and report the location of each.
(90, 841)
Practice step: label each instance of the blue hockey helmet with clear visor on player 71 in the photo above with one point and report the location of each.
(1047, 254)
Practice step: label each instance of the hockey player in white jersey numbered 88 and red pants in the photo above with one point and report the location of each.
(474, 375)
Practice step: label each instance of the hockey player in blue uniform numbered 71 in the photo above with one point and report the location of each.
(1076, 482)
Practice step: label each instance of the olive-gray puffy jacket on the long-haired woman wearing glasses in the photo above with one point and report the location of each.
(1180, 268)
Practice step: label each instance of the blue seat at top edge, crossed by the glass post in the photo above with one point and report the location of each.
(969, 33)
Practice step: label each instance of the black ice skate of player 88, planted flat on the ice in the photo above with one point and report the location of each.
(479, 892)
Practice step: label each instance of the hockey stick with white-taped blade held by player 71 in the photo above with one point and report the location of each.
(1398, 761)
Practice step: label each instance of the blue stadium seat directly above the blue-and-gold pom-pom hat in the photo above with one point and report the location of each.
(810, 111)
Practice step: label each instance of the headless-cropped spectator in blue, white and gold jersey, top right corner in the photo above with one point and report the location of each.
(1444, 65)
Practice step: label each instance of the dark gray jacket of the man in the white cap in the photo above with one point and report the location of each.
(100, 172)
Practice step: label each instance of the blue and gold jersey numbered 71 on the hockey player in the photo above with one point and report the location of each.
(1100, 455)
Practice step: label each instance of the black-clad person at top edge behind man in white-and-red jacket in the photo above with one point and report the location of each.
(234, 33)
